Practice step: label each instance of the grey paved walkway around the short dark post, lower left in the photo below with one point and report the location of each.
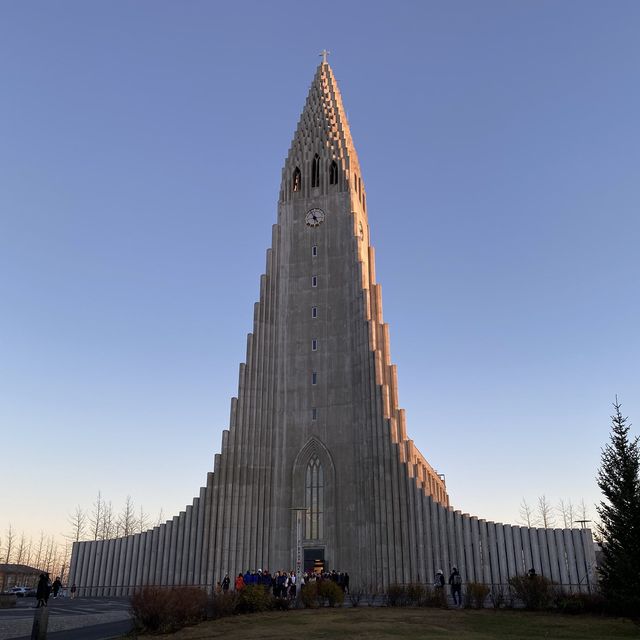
(79, 619)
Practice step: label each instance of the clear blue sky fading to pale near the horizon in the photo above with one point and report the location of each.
(141, 145)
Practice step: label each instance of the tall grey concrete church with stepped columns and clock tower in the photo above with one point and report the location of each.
(316, 467)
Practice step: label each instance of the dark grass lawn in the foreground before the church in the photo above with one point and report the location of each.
(376, 623)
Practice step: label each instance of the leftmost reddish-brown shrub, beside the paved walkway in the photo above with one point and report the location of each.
(168, 609)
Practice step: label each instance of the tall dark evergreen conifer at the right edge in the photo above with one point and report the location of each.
(619, 480)
